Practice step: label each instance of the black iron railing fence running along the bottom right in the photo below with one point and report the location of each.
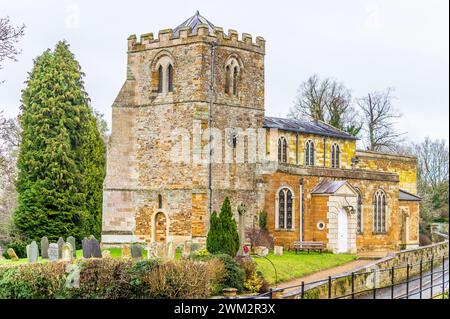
(422, 280)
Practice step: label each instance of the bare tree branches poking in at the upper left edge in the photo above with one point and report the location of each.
(9, 36)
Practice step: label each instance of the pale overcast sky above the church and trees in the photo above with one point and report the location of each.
(368, 45)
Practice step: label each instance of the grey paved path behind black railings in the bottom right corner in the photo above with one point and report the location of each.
(414, 287)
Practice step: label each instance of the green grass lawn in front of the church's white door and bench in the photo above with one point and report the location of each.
(292, 265)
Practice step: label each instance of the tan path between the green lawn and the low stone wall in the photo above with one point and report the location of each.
(323, 274)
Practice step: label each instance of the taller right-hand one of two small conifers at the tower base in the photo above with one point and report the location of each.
(230, 236)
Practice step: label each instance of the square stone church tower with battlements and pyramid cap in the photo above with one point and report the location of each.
(159, 184)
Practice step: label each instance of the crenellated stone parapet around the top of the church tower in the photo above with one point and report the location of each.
(202, 33)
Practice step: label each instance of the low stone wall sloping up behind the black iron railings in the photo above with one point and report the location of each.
(378, 274)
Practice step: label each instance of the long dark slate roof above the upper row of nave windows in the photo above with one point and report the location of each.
(305, 126)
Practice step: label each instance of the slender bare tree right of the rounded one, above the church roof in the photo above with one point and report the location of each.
(378, 120)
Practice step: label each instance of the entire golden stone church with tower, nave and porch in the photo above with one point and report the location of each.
(189, 129)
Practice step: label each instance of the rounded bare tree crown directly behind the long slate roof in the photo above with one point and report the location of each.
(326, 100)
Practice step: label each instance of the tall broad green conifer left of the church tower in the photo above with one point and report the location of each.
(61, 156)
